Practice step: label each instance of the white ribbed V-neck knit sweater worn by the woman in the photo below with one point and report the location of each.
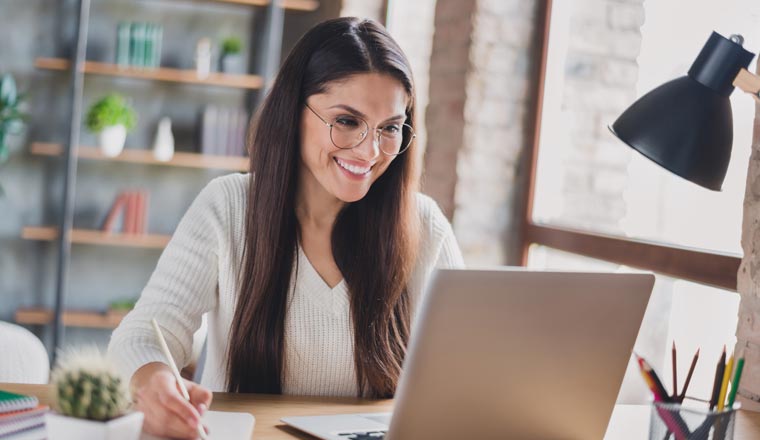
(198, 274)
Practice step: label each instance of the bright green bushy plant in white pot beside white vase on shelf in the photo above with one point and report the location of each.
(111, 117)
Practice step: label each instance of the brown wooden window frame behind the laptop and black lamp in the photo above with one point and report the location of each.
(698, 265)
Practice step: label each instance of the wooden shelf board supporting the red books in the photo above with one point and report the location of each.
(87, 236)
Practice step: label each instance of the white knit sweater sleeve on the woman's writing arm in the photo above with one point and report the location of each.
(181, 289)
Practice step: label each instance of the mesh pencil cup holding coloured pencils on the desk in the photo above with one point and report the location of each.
(676, 422)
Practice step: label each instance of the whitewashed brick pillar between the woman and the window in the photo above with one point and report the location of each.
(482, 71)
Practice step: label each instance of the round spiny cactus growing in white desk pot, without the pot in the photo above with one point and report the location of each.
(87, 386)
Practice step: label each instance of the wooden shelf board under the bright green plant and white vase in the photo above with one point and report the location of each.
(180, 159)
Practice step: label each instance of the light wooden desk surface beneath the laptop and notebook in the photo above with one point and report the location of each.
(629, 422)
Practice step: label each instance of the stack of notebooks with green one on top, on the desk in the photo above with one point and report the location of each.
(19, 413)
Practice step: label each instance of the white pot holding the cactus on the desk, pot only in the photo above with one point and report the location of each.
(127, 427)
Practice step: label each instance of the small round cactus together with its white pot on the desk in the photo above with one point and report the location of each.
(91, 400)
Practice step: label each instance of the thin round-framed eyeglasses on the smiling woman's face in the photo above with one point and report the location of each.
(348, 131)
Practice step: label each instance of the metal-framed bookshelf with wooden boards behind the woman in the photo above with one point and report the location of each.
(265, 39)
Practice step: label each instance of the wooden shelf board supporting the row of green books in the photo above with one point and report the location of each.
(157, 73)
